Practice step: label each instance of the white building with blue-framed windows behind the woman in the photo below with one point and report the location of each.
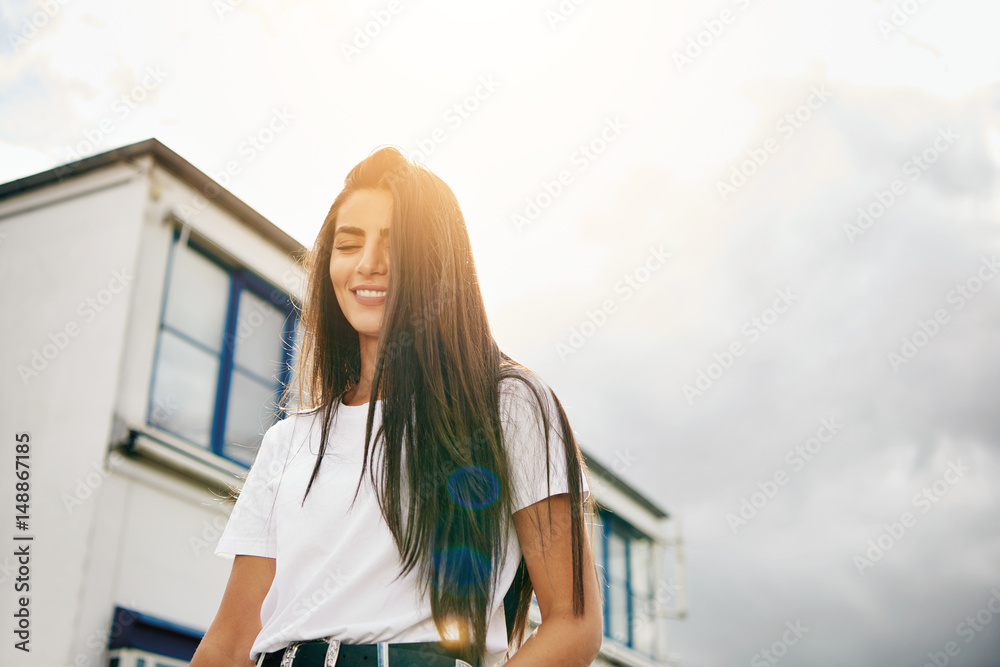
(148, 312)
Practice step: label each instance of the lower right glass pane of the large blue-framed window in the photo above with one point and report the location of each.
(250, 411)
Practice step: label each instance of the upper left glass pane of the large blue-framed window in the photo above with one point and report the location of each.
(198, 297)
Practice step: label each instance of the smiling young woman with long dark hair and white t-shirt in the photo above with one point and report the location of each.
(422, 545)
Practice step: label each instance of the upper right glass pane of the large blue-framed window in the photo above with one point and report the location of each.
(258, 337)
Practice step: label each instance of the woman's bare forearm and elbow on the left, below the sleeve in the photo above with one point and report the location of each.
(237, 623)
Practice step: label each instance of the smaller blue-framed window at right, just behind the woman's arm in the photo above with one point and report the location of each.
(627, 562)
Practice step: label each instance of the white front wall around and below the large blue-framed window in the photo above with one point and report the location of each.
(152, 550)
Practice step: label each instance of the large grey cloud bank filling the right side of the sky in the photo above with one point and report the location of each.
(827, 355)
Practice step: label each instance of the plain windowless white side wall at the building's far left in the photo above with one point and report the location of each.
(62, 245)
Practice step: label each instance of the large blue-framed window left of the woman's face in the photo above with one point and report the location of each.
(227, 346)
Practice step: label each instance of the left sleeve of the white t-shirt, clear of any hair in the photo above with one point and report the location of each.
(251, 529)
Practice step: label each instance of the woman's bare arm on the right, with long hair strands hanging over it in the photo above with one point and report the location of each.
(562, 639)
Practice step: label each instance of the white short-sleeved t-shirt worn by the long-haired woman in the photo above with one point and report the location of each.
(334, 569)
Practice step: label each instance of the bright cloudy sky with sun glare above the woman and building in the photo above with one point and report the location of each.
(750, 244)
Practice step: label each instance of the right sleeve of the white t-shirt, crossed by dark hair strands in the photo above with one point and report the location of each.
(524, 439)
